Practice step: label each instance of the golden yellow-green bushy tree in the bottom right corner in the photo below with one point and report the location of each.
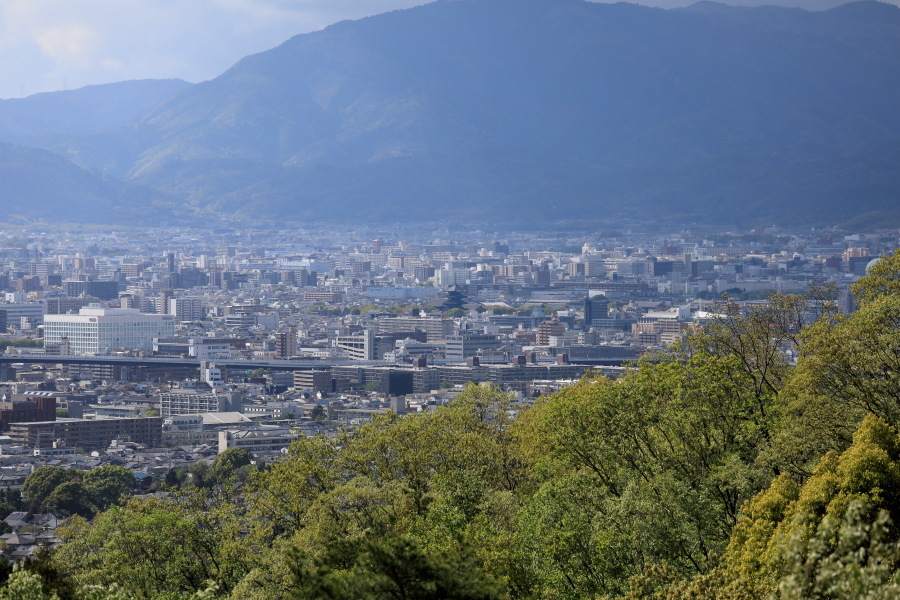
(826, 538)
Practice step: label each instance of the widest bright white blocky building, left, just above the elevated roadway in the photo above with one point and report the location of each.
(100, 330)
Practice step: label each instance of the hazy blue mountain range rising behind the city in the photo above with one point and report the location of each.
(513, 111)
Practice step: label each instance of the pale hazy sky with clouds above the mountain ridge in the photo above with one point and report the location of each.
(48, 45)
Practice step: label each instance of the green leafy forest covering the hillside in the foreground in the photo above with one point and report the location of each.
(716, 470)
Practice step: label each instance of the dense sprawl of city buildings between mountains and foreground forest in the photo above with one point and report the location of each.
(204, 340)
